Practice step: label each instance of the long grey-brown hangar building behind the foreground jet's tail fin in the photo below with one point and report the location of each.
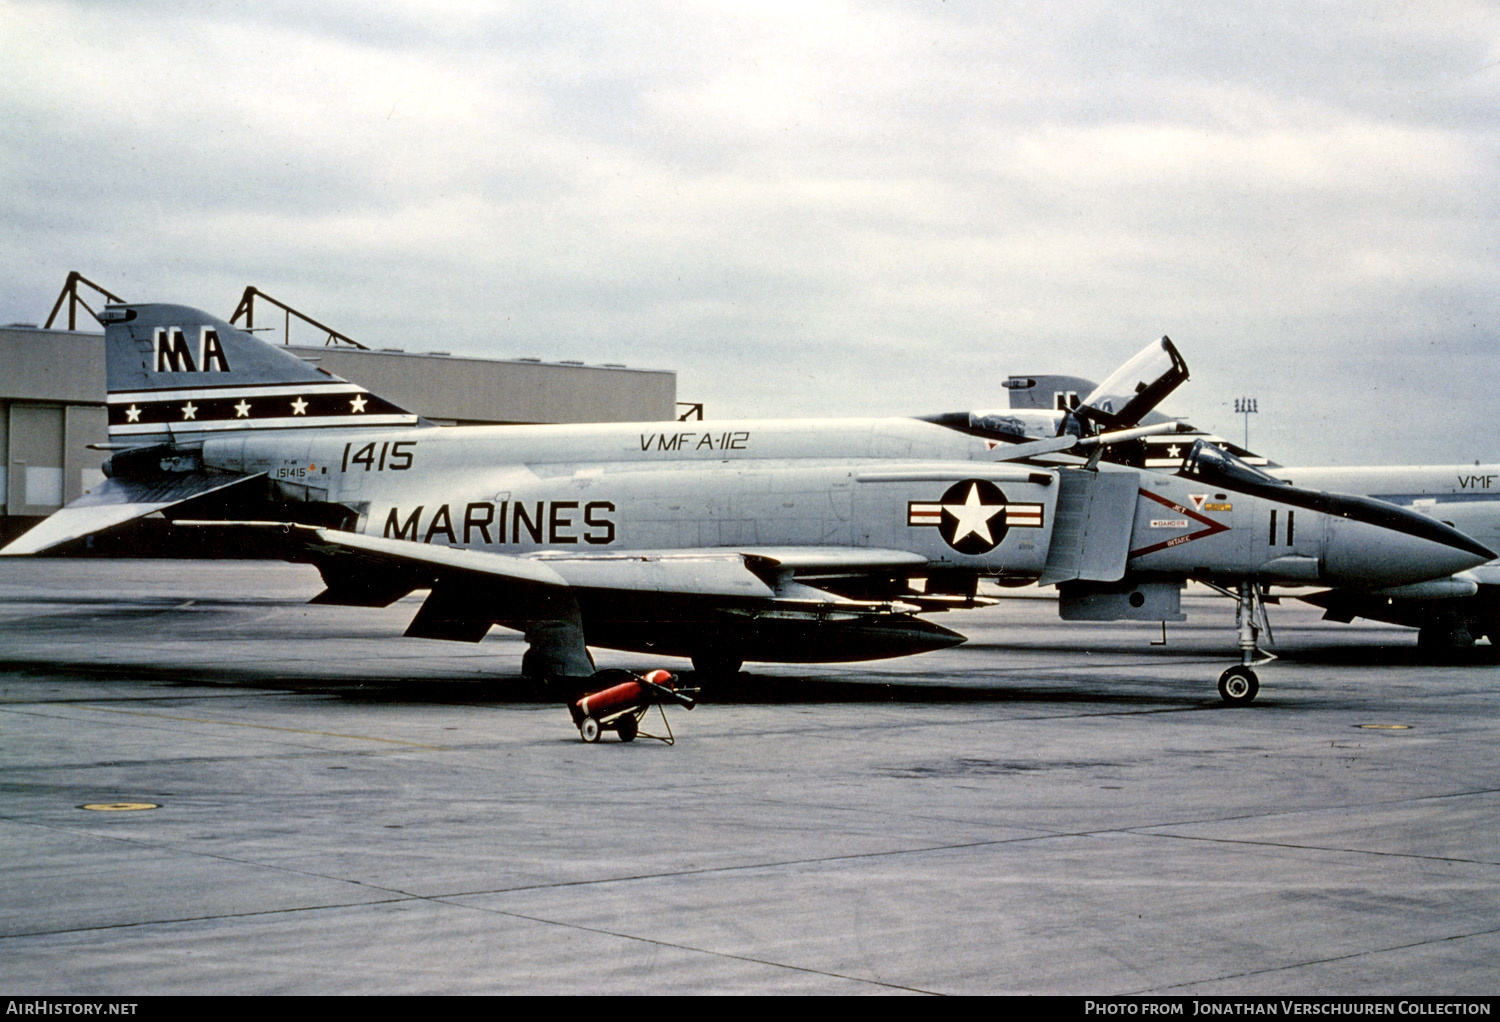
(53, 404)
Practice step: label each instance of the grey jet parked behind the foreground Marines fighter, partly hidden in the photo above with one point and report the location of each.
(1448, 613)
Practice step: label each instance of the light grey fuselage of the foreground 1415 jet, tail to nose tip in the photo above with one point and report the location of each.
(865, 484)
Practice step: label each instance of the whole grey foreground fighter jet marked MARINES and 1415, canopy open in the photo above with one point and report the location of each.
(773, 541)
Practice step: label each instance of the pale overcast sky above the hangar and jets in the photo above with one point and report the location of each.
(806, 208)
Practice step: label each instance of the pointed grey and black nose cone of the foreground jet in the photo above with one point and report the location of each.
(1372, 543)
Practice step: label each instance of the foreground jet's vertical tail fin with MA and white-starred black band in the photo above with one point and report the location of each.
(178, 374)
